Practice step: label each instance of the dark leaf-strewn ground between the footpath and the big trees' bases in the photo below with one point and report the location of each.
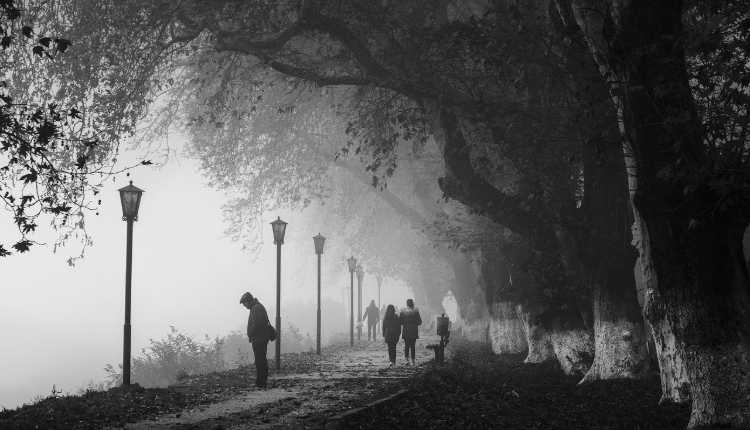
(479, 390)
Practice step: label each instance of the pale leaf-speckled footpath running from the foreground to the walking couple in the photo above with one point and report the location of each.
(301, 396)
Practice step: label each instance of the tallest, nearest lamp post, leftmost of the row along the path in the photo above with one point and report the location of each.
(130, 199)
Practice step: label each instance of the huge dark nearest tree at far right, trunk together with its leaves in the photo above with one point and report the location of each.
(681, 103)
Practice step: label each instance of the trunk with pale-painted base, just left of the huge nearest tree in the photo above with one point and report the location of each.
(620, 338)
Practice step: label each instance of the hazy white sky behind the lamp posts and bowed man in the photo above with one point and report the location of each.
(60, 325)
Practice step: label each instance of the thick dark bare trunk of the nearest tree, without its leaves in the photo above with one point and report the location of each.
(691, 248)
